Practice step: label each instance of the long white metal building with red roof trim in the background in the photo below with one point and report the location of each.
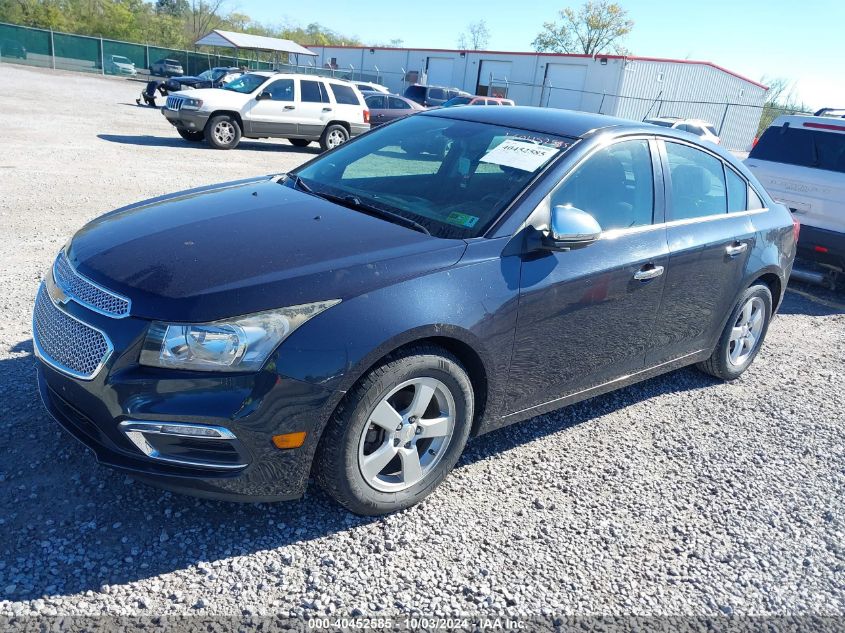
(628, 87)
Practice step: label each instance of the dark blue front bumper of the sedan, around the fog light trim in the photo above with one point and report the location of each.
(243, 464)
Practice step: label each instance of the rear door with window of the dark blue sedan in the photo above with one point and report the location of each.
(708, 250)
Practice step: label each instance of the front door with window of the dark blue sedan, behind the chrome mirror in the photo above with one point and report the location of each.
(586, 315)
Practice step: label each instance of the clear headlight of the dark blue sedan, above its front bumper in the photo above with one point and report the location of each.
(238, 344)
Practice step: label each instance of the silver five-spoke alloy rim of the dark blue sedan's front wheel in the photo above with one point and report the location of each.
(408, 433)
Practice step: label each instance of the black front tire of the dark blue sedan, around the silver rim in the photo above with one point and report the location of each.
(336, 466)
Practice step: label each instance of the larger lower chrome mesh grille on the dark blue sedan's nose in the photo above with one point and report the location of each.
(66, 343)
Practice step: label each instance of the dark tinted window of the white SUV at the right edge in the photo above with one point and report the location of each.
(802, 147)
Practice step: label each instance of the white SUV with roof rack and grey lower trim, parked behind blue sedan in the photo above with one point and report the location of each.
(300, 108)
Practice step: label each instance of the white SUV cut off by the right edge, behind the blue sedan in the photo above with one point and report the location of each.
(800, 160)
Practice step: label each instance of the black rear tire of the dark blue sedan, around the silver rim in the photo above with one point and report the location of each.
(719, 364)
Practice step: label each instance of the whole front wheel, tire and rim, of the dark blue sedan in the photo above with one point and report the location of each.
(399, 432)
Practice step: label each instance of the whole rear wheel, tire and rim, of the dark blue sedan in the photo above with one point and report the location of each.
(743, 335)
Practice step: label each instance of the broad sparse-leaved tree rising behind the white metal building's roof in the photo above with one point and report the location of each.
(597, 27)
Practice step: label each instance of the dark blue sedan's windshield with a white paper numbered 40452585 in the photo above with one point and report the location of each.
(452, 177)
